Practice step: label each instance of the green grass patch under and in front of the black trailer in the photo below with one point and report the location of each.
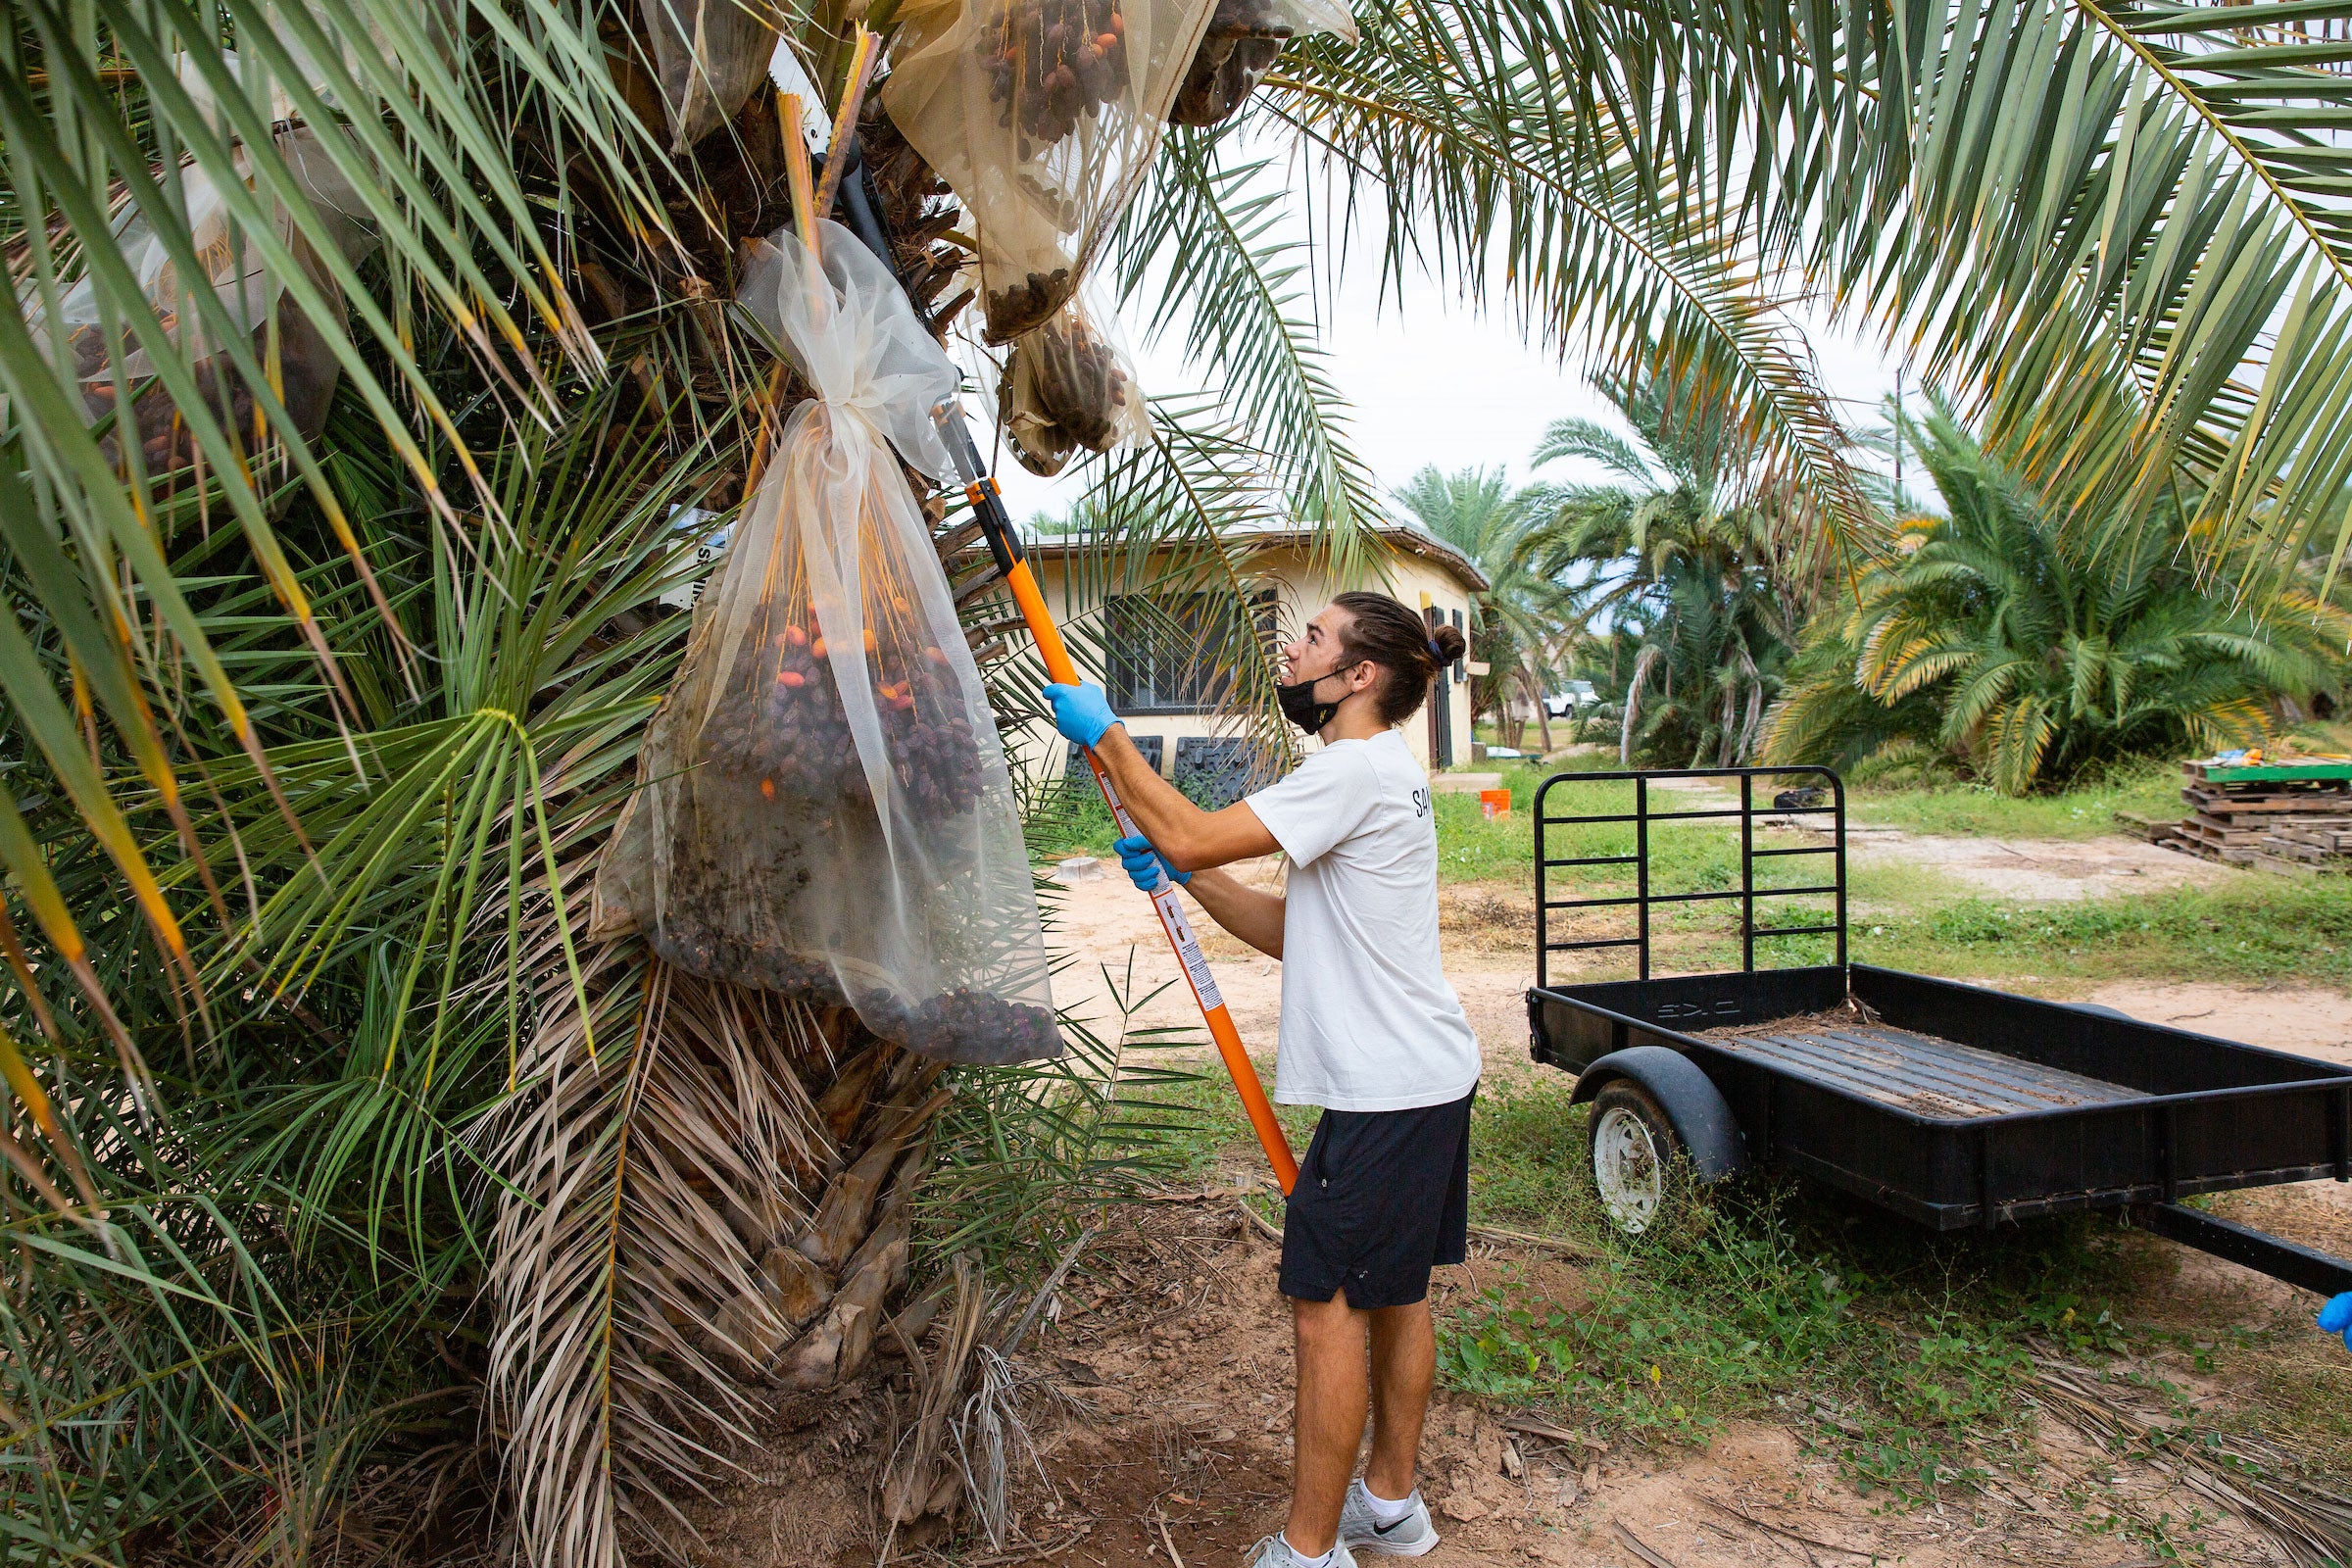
(1899, 1351)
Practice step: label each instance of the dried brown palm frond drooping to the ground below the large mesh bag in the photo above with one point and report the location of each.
(629, 1144)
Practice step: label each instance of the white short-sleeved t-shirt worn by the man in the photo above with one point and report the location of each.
(1368, 1017)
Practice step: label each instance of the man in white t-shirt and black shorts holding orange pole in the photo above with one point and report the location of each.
(1370, 1031)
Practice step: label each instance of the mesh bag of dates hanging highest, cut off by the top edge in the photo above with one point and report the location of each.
(1043, 116)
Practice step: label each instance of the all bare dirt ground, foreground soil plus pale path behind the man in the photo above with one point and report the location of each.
(1158, 1393)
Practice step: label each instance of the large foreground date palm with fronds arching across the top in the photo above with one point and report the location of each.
(363, 361)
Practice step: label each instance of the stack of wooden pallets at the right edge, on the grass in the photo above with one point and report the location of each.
(2285, 815)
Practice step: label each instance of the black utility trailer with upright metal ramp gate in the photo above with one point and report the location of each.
(1946, 1104)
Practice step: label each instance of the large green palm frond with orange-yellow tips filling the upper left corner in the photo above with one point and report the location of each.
(185, 239)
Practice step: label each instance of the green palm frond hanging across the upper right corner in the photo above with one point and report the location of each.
(2118, 227)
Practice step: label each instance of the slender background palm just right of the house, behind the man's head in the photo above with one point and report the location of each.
(1523, 615)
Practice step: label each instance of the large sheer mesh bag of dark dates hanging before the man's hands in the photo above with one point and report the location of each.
(824, 805)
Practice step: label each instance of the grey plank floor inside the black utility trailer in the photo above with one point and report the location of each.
(1918, 1073)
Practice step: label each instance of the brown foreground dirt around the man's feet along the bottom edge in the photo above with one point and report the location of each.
(1156, 1409)
